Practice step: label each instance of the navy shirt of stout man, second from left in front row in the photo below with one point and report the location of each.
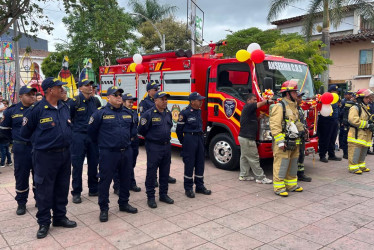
(111, 127)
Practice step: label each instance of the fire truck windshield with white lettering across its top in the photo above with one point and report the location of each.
(283, 71)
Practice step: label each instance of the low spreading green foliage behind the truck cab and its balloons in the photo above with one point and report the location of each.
(242, 38)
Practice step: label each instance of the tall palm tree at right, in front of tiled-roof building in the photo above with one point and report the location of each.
(332, 11)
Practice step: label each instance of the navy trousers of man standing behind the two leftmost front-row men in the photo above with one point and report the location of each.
(82, 145)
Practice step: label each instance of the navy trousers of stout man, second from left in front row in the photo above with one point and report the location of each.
(110, 162)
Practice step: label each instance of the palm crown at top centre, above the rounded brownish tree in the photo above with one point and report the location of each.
(152, 10)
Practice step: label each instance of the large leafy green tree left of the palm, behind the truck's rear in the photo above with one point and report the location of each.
(98, 30)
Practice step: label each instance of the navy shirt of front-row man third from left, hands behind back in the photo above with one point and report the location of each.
(155, 126)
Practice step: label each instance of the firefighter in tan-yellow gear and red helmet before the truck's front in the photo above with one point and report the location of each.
(285, 126)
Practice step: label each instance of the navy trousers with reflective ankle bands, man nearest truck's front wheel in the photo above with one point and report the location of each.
(193, 153)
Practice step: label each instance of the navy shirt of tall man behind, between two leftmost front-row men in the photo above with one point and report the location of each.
(81, 110)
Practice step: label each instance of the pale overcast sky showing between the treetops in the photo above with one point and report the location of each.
(219, 15)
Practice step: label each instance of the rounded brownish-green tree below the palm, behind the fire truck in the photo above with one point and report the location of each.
(175, 33)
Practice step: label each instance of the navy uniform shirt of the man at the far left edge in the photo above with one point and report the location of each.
(12, 123)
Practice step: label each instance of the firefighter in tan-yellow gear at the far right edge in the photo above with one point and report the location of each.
(360, 132)
